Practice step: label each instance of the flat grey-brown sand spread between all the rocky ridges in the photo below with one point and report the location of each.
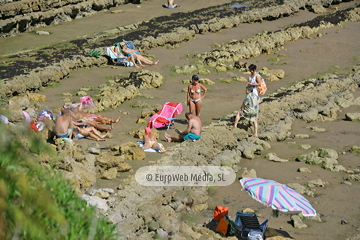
(333, 50)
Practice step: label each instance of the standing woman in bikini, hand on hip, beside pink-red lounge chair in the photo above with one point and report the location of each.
(194, 96)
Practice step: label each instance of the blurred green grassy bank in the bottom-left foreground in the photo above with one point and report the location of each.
(35, 203)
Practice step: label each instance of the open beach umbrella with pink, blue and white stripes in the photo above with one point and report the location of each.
(278, 196)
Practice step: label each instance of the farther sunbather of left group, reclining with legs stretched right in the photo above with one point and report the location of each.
(80, 116)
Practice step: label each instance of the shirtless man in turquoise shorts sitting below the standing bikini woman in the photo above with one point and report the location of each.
(192, 132)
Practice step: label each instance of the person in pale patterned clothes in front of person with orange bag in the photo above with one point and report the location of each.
(249, 109)
